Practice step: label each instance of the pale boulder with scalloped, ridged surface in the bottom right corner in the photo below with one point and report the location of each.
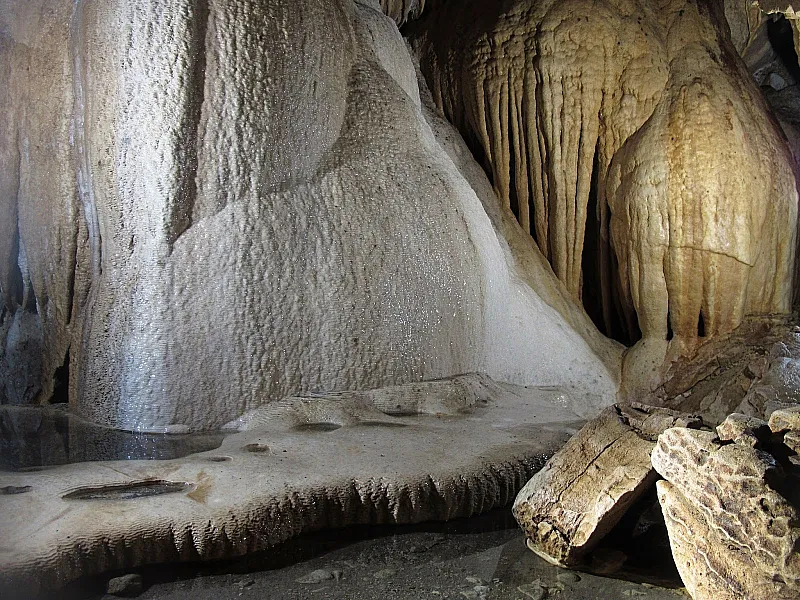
(732, 534)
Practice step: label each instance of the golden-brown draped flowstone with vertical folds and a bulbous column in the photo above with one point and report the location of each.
(628, 132)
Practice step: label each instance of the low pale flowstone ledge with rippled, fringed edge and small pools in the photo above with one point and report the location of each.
(328, 462)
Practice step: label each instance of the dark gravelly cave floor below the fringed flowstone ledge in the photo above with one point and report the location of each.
(482, 558)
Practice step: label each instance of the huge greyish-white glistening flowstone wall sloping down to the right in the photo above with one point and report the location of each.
(208, 206)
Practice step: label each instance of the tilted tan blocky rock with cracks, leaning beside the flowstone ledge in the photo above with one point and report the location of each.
(584, 490)
